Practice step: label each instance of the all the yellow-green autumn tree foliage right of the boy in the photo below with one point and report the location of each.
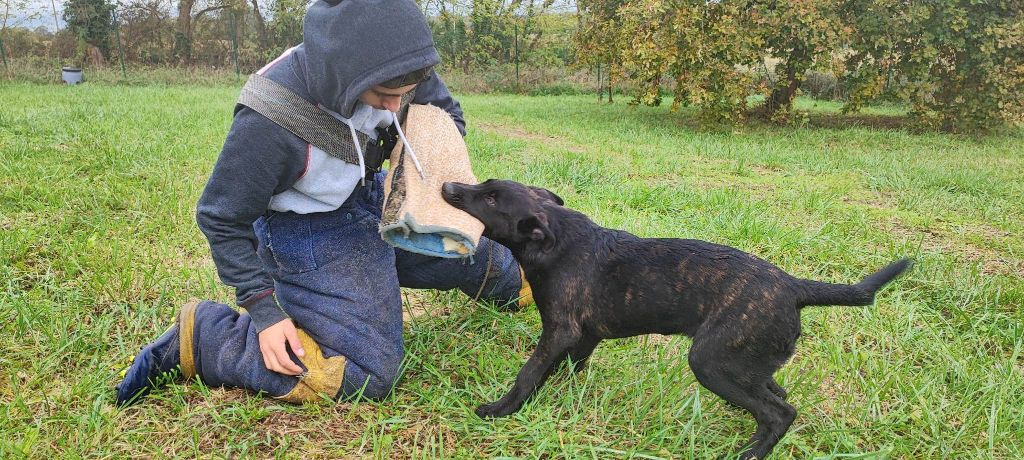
(960, 64)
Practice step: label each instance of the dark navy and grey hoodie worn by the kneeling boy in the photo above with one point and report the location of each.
(349, 48)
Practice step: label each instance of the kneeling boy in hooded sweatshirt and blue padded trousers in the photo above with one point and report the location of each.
(295, 231)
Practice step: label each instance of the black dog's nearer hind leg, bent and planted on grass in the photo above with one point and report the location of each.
(743, 383)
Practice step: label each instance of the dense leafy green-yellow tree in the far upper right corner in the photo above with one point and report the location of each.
(960, 64)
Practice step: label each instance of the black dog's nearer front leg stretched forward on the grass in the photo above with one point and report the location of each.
(552, 349)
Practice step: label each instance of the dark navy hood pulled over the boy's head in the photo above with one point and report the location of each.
(352, 46)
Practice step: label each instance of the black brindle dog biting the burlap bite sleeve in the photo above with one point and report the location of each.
(592, 283)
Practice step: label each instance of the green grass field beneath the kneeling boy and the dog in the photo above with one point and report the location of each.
(99, 247)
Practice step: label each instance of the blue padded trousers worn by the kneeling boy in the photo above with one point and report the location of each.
(339, 282)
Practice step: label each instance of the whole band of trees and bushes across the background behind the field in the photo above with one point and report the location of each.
(957, 64)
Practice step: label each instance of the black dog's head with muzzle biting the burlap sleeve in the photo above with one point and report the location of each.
(514, 215)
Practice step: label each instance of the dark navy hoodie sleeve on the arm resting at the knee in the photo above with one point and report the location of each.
(259, 160)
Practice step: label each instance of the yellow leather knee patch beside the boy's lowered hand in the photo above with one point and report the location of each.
(323, 378)
